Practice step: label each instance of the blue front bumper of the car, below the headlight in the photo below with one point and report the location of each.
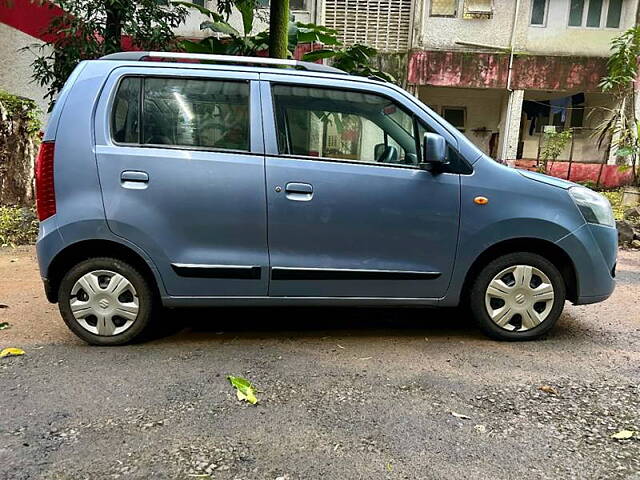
(593, 250)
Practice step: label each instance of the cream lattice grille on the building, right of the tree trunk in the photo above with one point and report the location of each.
(383, 24)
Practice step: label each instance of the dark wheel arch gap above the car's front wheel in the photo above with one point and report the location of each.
(552, 252)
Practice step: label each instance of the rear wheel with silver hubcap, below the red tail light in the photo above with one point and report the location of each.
(106, 301)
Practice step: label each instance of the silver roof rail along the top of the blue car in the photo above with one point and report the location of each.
(140, 56)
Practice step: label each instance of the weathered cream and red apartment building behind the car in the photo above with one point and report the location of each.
(499, 70)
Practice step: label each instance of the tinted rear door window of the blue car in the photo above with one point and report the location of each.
(193, 113)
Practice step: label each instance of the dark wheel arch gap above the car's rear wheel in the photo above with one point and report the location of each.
(83, 250)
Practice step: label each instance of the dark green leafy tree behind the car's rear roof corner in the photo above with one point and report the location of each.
(92, 28)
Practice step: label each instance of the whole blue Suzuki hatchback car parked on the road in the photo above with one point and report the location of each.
(254, 181)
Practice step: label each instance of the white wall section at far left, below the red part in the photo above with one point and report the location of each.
(16, 71)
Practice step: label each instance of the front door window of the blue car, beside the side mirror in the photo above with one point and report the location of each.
(343, 125)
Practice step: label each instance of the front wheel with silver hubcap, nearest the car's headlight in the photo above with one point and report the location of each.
(518, 296)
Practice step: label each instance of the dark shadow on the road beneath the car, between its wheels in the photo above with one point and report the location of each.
(313, 322)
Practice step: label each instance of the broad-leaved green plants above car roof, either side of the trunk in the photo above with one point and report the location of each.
(226, 40)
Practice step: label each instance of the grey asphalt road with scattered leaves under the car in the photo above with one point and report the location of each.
(344, 394)
